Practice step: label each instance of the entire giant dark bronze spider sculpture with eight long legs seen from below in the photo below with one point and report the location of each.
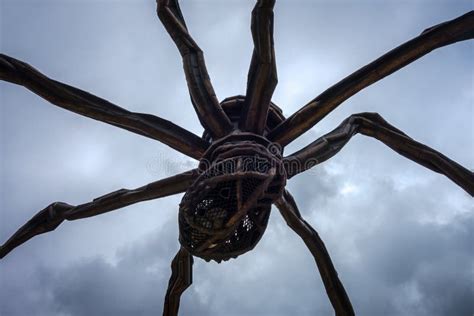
(242, 170)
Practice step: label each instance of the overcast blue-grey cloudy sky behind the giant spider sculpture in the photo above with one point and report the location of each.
(399, 235)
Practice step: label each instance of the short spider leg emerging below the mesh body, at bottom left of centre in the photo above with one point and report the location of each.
(181, 279)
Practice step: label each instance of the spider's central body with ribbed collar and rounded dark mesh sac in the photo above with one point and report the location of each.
(225, 211)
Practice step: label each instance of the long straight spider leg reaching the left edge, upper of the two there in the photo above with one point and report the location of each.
(86, 104)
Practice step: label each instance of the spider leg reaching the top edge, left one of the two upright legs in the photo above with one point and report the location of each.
(203, 97)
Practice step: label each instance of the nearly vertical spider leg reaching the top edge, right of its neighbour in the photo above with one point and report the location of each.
(262, 76)
